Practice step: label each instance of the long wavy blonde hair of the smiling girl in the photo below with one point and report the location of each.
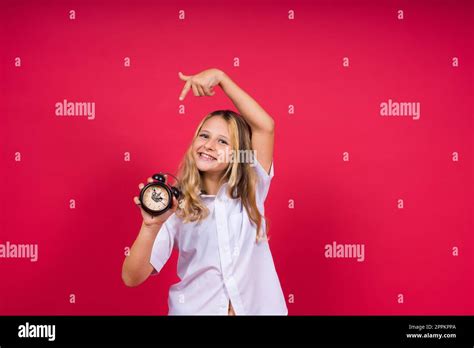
(241, 177)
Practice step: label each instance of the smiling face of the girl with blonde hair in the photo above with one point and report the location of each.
(212, 146)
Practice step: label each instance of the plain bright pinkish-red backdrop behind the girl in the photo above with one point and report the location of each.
(299, 62)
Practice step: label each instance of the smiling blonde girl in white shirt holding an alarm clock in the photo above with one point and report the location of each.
(225, 264)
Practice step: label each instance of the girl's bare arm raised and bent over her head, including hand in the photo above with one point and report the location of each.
(260, 121)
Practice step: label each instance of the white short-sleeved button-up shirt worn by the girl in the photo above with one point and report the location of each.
(220, 259)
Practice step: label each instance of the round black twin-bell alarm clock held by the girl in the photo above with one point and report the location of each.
(157, 197)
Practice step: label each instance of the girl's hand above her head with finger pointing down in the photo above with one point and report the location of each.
(202, 83)
